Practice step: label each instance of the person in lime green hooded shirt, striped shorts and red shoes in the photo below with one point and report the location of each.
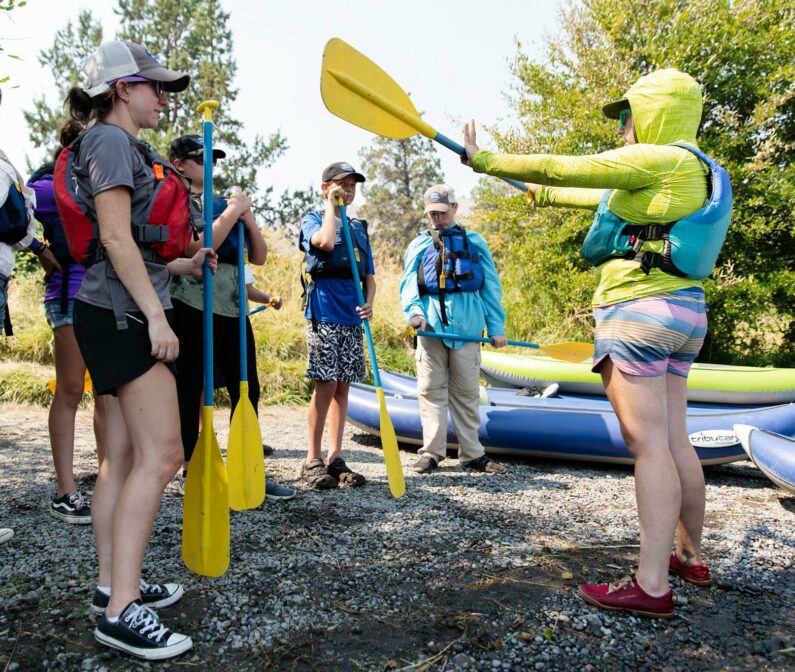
(650, 320)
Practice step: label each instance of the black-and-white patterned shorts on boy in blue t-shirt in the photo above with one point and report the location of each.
(336, 352)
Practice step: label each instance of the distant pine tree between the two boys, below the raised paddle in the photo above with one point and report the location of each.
(398, 173)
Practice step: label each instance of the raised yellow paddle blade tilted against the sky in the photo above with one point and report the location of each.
(357, 90)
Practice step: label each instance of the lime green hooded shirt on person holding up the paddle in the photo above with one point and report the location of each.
(652, 182)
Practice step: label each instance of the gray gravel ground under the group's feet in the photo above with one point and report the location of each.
(465, 572)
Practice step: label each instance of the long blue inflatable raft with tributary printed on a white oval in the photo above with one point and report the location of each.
(572, 427)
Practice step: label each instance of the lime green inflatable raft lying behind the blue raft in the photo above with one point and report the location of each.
(711, 383)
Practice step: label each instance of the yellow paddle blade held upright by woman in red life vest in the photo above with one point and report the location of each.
(205, 518)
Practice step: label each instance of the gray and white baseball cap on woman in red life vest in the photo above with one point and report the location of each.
(117, 59)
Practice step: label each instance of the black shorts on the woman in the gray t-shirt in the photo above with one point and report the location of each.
(113, 358)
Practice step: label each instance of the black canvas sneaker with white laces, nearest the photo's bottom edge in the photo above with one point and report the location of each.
(138, 631)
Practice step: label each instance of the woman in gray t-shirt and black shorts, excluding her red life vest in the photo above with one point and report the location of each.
(127, 93)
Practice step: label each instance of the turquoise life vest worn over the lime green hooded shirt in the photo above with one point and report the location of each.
(692, 244)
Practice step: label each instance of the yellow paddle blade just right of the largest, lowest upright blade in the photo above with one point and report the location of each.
(244, 459)
